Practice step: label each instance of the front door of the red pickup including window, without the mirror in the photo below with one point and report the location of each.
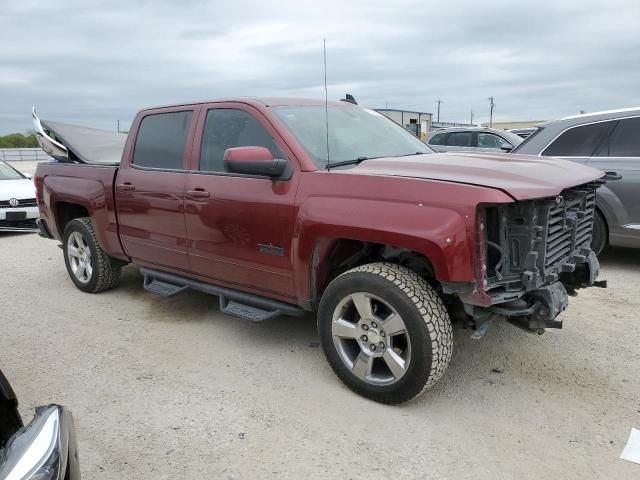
(239, 227)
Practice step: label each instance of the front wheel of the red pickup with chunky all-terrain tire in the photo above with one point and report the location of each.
(385, 332)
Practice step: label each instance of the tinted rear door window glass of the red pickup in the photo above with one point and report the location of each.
(161, 140)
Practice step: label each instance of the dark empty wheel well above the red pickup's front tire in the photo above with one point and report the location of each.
(332, 257)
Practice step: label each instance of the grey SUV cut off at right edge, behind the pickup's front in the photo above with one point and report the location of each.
(608, 141)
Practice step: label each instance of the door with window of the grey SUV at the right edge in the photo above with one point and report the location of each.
(619, 157)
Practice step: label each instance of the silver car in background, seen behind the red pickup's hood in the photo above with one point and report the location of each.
(472, 139)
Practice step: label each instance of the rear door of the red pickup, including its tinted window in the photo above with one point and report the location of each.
(150, 188)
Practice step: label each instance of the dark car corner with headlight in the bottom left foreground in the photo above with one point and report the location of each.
(45, 449)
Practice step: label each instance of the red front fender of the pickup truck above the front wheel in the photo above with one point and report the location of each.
(442, 235)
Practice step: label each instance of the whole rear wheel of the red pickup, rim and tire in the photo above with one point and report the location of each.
(89, 267)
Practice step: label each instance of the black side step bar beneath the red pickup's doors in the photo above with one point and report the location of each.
(232, 302)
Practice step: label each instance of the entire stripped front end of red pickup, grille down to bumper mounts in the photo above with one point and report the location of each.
(531, 256)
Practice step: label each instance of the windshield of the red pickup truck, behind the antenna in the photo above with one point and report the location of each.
(354, 133)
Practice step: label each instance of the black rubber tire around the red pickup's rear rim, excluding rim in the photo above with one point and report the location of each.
(105, 272)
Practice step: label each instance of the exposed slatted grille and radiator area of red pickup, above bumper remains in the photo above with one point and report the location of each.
(530, 243)
